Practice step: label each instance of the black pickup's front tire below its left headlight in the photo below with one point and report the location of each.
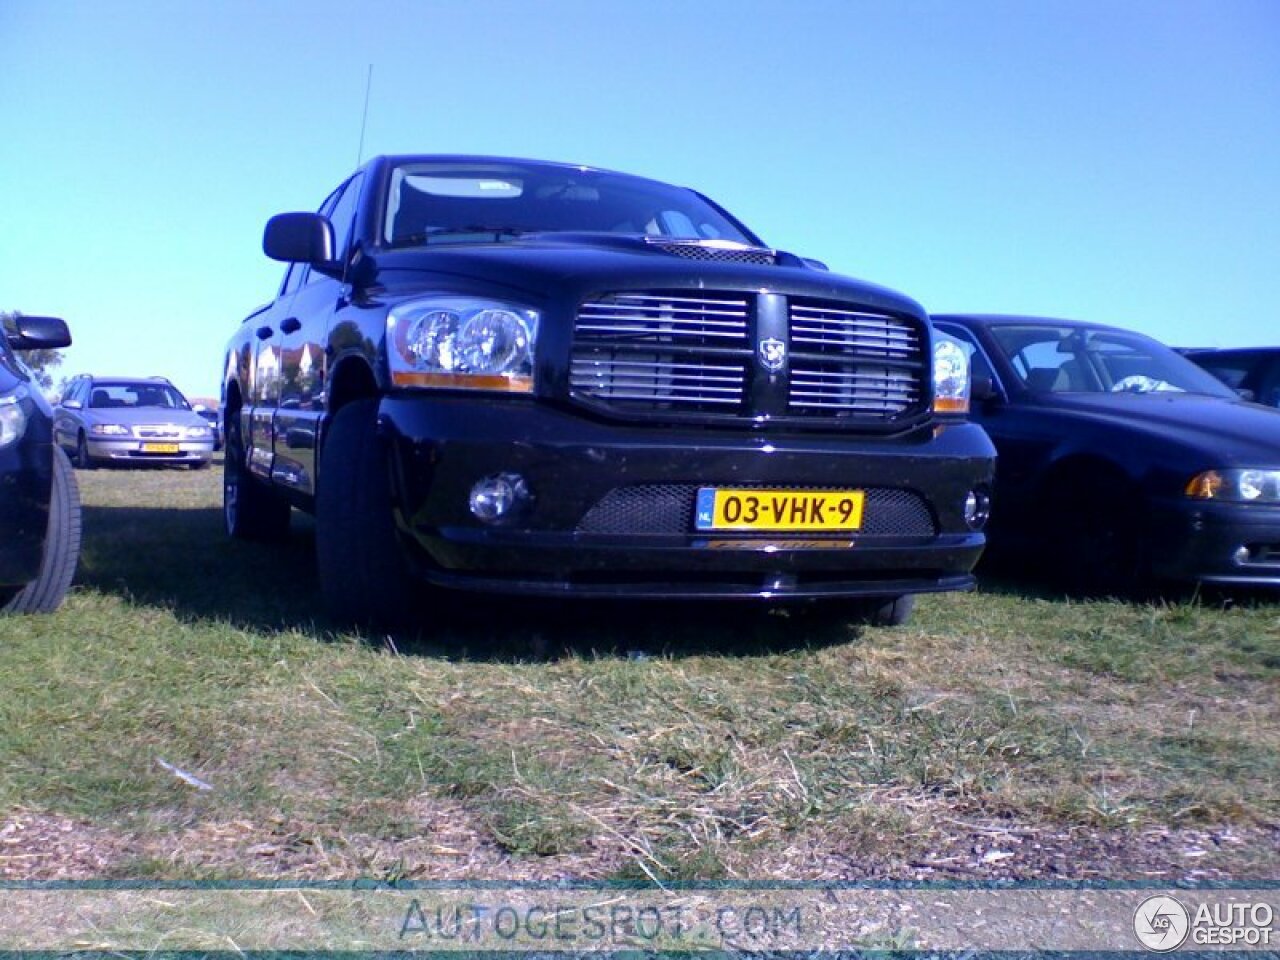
(364, 575)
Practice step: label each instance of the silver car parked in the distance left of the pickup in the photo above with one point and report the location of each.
(130, 422)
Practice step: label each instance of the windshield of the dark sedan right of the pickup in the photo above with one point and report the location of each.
(1060, 359)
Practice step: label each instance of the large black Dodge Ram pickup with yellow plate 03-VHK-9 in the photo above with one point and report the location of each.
(529, 378)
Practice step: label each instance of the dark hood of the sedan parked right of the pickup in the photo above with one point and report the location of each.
(1237, 432)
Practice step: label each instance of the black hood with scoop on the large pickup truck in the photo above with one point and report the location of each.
(543, 266)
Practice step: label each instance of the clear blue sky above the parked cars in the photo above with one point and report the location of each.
(1116, 162)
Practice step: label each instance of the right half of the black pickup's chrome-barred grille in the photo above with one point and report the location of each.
(848, 363)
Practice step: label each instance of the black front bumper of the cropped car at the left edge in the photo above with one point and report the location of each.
(26, 478)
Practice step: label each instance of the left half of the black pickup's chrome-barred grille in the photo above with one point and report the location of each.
(657, 351)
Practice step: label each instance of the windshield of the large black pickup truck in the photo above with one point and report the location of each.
(442, 203)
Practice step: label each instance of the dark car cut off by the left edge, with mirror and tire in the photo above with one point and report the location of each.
(40, 514)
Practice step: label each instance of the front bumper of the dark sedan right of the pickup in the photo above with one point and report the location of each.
(1196, 541)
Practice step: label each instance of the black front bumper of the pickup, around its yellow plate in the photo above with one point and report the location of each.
(569, 540)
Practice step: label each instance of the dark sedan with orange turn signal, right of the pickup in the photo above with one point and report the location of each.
(1122, 461)
